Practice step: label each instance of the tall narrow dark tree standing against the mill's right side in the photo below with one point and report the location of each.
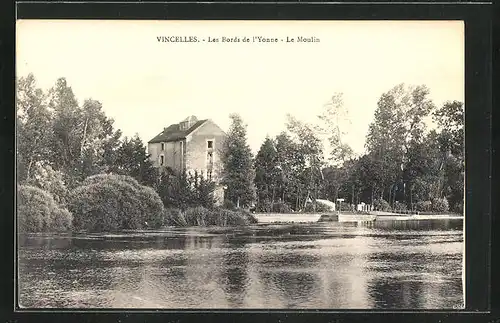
(237, 160)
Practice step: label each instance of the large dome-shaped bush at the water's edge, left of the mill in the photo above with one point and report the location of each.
(109, 202)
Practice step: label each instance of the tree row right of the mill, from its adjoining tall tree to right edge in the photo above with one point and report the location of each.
(407, 165)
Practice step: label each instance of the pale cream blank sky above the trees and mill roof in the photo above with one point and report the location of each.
(146, 85)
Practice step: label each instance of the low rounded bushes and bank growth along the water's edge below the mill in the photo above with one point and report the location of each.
(109, 202)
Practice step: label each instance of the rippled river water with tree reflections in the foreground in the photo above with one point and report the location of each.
(331, 265)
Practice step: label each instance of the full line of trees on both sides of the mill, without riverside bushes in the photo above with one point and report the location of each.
(407, 165)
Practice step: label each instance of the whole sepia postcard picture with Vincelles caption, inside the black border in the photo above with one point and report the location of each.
(183, 164)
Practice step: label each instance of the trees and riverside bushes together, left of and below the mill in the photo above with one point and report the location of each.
(75, 170)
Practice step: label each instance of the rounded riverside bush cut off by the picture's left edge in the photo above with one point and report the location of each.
(37, 211)
